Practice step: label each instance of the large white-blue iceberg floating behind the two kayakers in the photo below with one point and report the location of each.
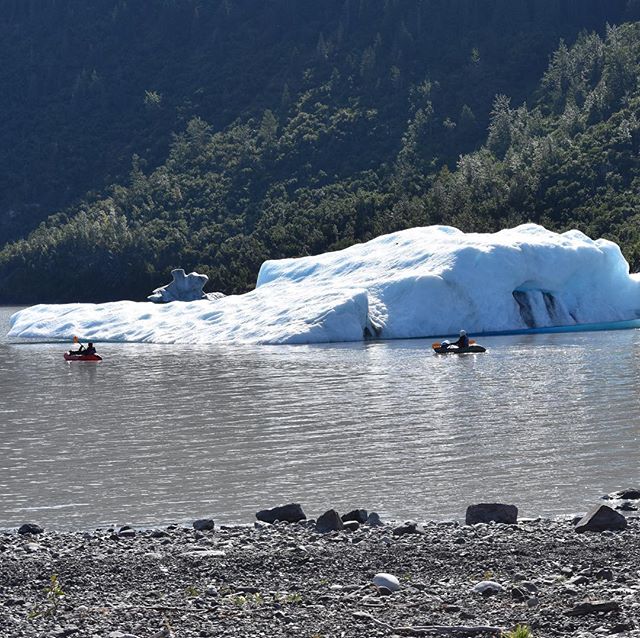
(419, 282)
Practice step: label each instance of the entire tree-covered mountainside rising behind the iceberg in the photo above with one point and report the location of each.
(142, 136)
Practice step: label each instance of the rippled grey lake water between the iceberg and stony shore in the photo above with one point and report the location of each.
(157, 434)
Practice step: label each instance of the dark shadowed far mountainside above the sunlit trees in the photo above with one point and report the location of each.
(88, 84)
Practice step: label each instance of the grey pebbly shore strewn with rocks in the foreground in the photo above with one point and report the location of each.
(365, 578)
